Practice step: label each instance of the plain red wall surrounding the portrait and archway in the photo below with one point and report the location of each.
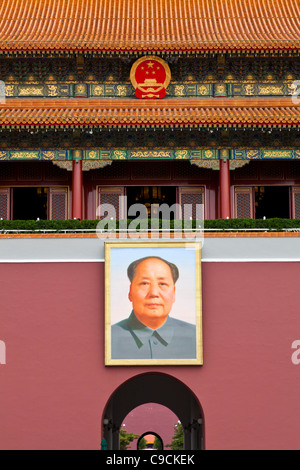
(54, 386)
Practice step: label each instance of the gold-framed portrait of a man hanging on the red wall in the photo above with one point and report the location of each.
(153, 303)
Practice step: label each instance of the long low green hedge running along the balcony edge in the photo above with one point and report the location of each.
(90, 225)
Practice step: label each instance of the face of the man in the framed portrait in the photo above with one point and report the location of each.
(152, 292)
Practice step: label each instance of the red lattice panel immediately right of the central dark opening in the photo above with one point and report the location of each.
(192, 202)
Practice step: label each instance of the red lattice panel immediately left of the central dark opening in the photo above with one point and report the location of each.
(111, 195)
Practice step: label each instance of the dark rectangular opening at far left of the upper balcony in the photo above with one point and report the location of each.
(30, 203)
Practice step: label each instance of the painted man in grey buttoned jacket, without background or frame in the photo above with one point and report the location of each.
(150, 332)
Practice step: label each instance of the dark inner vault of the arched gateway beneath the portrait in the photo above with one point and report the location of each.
(156, 388)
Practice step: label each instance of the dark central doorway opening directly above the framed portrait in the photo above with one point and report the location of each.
(151, 195)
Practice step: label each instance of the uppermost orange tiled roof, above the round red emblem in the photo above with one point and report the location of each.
(143, 25)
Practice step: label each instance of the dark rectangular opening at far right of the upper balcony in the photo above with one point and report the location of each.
(272, 202)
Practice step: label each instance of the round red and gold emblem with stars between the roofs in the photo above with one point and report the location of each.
(150, 77)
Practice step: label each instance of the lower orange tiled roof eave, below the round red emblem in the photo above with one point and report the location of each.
(167, 112)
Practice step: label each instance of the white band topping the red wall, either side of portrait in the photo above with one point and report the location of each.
(215, 250)
